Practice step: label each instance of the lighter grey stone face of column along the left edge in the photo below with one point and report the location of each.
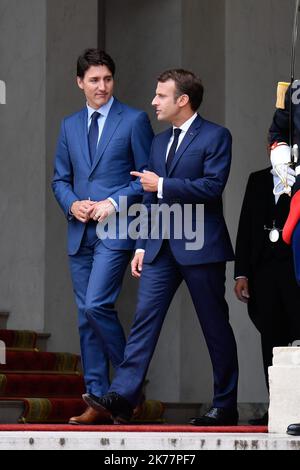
(22, 154)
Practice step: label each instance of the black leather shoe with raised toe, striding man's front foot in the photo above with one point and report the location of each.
(119, 408)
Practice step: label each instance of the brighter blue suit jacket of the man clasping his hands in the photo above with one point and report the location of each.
(124, 146)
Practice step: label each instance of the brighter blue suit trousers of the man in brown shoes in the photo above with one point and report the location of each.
(97, 274)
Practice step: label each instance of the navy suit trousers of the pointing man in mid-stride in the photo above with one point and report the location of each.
(158, 284)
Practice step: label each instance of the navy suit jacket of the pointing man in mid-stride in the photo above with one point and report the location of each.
(198, 175)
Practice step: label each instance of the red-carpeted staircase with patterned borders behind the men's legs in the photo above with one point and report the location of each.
(37, 386)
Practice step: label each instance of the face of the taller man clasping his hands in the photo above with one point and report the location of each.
(97, 84)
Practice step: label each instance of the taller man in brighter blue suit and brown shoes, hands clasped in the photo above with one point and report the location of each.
(97, 148)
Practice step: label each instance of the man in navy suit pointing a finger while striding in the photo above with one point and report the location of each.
(189, 164)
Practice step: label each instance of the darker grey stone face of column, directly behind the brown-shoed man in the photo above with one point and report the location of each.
(72, 26)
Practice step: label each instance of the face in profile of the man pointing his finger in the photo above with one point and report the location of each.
(166, 106)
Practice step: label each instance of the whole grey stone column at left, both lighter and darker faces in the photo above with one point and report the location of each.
(39, 43)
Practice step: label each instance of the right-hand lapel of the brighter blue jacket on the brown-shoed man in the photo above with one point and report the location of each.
(112, 121)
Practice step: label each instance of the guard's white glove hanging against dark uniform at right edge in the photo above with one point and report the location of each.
(281, 159)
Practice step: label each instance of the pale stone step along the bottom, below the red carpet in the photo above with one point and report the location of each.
(131, 441)
